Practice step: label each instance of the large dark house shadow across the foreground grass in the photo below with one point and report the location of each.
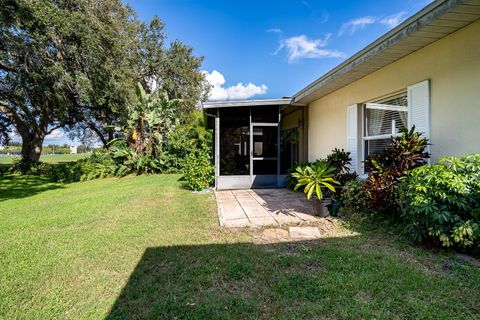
(329, 278)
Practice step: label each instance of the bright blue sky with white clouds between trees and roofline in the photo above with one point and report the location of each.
(270, 49)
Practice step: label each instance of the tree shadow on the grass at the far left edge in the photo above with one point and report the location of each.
(15, 186)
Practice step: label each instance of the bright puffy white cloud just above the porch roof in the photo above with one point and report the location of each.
(236, 92)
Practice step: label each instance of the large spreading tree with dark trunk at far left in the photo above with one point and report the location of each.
(61, 63)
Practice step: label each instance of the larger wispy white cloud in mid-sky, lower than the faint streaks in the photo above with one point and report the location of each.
(301, 46)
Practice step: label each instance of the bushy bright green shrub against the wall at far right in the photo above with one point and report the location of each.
(441, 203)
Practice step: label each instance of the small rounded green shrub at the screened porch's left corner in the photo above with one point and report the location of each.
(199, 172)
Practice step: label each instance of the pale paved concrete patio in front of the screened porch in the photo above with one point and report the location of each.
(263, 207)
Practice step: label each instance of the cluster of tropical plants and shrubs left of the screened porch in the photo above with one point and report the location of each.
(155, 143)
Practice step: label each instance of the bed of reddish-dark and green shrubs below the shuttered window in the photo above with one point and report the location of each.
(438, 204)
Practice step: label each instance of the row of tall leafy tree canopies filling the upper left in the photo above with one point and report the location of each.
(76, 65)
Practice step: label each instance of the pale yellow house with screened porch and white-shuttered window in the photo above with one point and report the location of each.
(424, 72)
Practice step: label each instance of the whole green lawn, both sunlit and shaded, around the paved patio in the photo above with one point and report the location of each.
(142, 247)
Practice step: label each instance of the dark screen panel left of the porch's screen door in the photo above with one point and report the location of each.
(235, 141)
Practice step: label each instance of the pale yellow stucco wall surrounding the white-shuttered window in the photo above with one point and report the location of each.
(453, 66)
